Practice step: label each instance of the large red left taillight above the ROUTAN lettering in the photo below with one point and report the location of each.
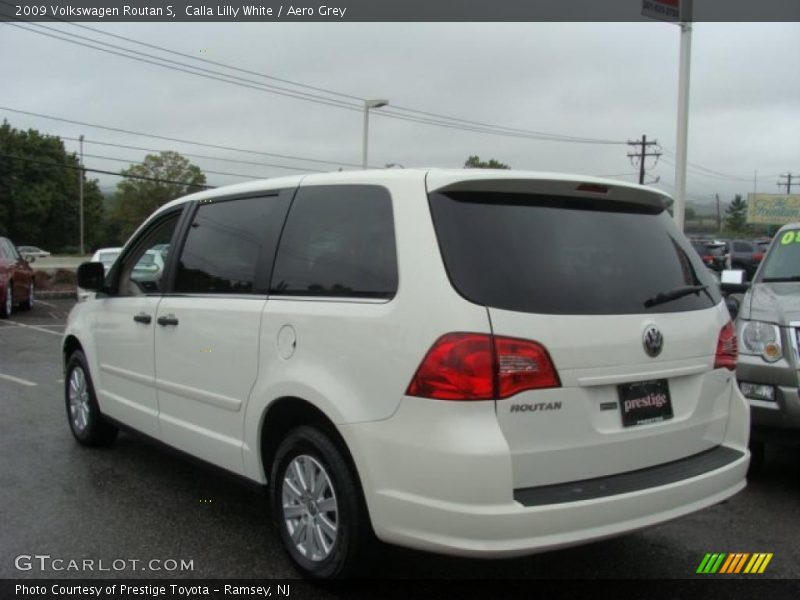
(479, 366)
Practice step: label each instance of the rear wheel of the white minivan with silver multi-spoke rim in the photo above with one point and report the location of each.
(353, 537)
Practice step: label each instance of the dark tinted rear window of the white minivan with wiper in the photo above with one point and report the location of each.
(557, 255)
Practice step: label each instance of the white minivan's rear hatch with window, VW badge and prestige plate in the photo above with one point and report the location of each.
(587, 270)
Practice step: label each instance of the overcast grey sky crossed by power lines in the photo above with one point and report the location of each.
(603, 81)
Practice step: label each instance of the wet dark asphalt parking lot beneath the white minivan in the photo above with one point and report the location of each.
(137, 502)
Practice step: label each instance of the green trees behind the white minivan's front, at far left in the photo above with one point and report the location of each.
(40, 197)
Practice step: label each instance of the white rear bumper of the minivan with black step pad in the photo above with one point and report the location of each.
(448, 488)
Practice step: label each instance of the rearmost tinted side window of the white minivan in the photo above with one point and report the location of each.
(338, 241)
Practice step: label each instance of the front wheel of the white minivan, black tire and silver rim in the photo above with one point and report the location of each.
(86, 422)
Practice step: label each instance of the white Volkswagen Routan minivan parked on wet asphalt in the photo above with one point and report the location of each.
(477, 363)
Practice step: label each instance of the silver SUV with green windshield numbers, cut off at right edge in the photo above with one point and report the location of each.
(768, 326)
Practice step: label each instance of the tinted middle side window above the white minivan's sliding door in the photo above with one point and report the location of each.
(229, 243)
